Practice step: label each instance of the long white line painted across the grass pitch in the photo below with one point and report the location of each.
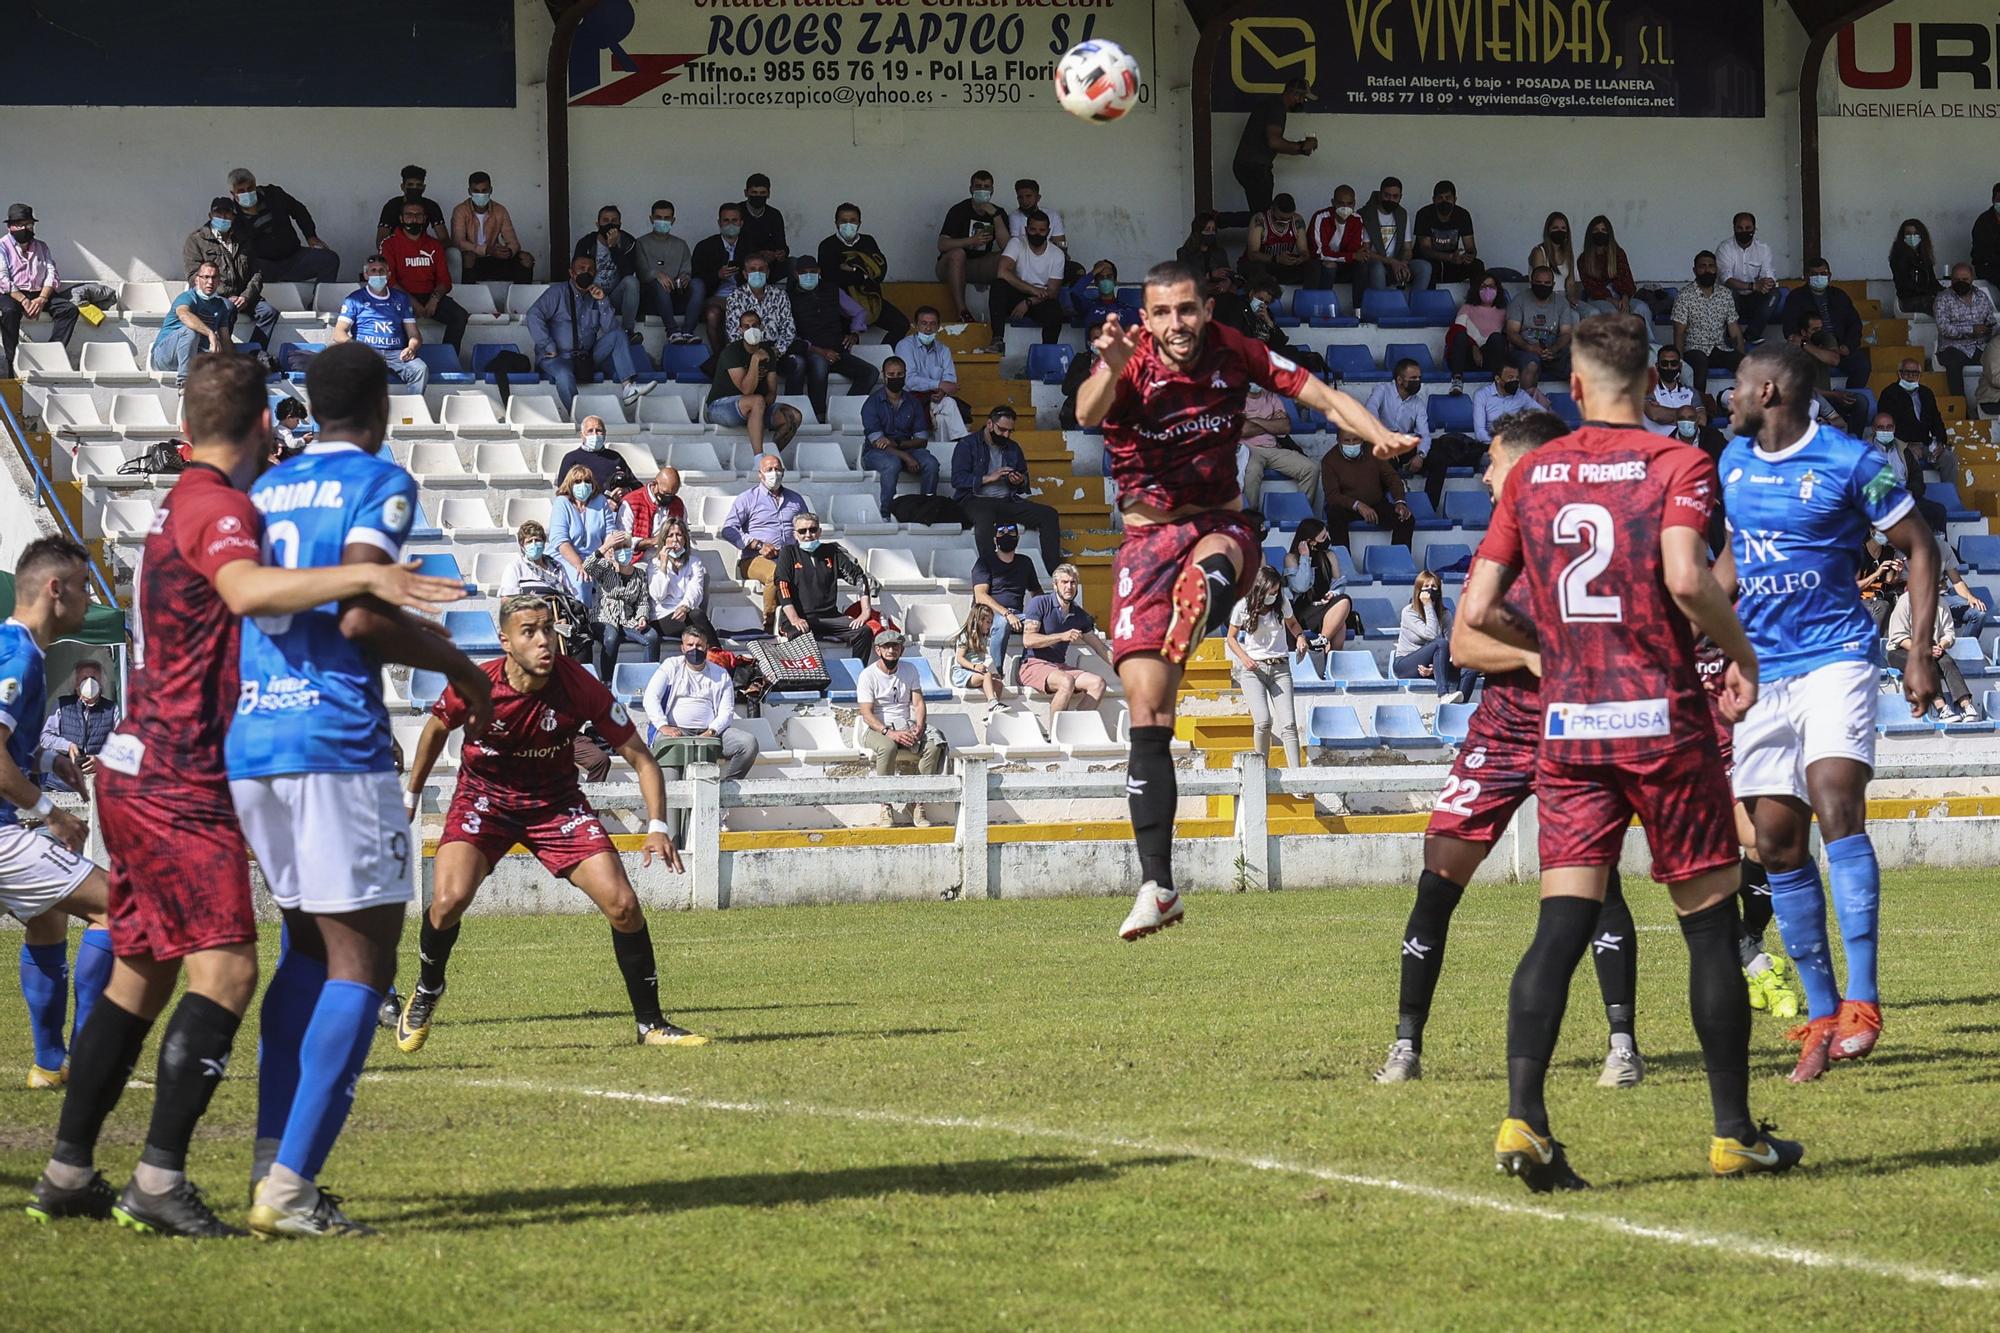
(1735, 1246)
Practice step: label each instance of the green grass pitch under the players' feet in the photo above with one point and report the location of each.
(979, 1116)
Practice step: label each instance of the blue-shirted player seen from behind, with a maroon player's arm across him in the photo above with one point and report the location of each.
(315, 786)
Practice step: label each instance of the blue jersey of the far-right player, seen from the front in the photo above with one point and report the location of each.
(1797, 521)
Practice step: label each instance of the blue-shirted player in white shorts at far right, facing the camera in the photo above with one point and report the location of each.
(1801, 501)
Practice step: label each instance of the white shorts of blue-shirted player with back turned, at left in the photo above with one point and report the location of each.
(329, 842)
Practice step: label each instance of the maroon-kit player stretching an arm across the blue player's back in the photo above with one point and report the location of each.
(179, 868)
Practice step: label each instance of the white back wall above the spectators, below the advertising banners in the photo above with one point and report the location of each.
(121, 187)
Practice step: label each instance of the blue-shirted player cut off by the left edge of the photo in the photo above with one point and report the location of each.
(43, 876)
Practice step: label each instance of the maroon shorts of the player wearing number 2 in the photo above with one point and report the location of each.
(1683, 800)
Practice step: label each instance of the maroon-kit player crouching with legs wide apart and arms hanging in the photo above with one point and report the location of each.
(517, 784)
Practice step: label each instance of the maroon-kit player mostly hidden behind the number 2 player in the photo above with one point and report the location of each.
(1489, 782)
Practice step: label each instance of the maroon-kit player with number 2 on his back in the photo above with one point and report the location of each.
(1609, 525)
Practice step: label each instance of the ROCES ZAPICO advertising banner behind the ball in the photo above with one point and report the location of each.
(843, 53)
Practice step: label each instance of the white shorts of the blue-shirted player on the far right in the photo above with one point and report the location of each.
(1827, 714)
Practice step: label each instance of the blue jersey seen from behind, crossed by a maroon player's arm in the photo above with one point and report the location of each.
(311, 700)
